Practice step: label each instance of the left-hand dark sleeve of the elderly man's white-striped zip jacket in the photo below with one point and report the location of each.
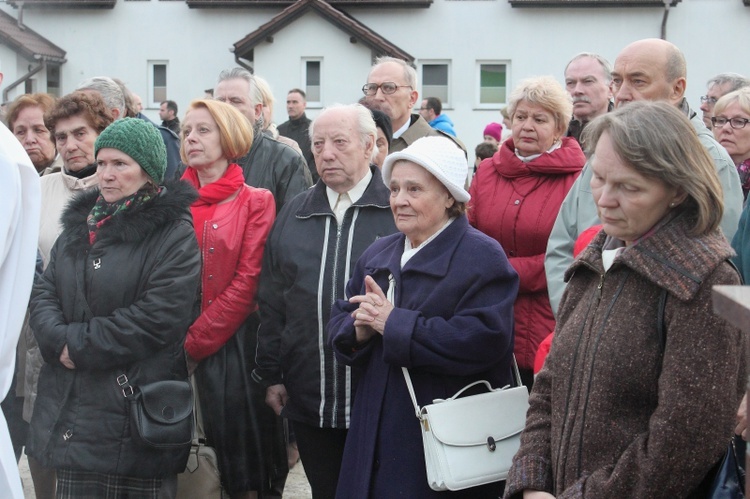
(272, 307)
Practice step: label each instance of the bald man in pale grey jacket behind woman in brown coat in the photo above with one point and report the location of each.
(653, 70)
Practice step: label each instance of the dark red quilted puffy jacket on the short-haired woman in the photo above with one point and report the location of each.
(516, 203)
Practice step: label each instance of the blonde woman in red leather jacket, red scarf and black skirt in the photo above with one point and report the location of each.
(232, 221)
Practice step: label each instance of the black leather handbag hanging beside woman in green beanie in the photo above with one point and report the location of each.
(161, 413)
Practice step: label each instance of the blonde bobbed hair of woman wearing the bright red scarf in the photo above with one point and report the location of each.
(235, 132)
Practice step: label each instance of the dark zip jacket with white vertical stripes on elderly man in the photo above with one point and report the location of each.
(308, 260)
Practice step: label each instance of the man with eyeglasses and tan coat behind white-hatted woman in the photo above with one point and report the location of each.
(392, 88)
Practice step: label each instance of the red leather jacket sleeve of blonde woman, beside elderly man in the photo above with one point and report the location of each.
(224, 316)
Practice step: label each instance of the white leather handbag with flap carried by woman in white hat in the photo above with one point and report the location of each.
(470, 441)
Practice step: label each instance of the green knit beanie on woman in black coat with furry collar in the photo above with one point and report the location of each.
(138, 139)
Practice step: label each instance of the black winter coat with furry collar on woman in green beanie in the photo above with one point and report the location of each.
(140, 279)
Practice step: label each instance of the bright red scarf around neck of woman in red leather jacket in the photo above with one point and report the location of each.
(210, 195)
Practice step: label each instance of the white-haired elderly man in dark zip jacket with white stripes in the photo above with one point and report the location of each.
(315, 242)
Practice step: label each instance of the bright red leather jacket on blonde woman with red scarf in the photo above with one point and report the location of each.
(232, 252)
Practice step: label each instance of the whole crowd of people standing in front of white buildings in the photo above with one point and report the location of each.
(292, 272)
